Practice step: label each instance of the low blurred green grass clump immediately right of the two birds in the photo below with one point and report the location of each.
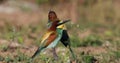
(91, 40)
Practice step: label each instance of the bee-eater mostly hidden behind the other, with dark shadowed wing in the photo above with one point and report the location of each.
(65, 40)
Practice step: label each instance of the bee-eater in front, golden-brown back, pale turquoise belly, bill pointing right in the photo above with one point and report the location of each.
(50, 38)
